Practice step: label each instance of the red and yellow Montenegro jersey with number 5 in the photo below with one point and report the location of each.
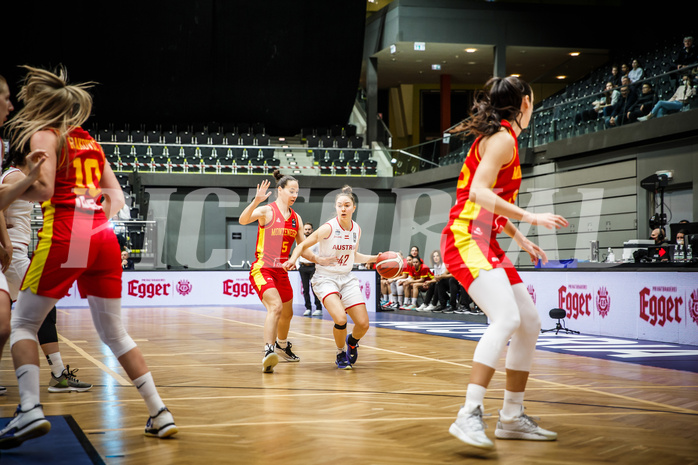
(274, 239)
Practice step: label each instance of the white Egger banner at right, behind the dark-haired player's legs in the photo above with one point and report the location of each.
(655, 306)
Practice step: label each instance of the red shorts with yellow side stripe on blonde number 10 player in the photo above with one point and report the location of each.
(70, 251)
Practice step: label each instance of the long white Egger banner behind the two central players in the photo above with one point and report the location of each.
(189, 288)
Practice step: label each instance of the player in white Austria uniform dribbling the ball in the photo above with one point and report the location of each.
(334, 284)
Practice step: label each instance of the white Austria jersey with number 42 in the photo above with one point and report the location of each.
(342, 244)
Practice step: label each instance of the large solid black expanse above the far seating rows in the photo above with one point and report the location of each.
(201, 61)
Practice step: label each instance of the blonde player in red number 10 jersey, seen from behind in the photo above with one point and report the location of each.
(75, 244)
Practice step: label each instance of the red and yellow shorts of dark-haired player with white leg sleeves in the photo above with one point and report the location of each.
(465, 254)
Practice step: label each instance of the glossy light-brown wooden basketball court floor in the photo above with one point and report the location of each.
(395, 407)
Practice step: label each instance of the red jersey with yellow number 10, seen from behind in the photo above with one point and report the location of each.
(76, 187)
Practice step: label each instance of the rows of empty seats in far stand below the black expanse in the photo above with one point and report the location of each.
(236, 149)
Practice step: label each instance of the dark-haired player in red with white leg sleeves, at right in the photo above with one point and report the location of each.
(487, 188)
